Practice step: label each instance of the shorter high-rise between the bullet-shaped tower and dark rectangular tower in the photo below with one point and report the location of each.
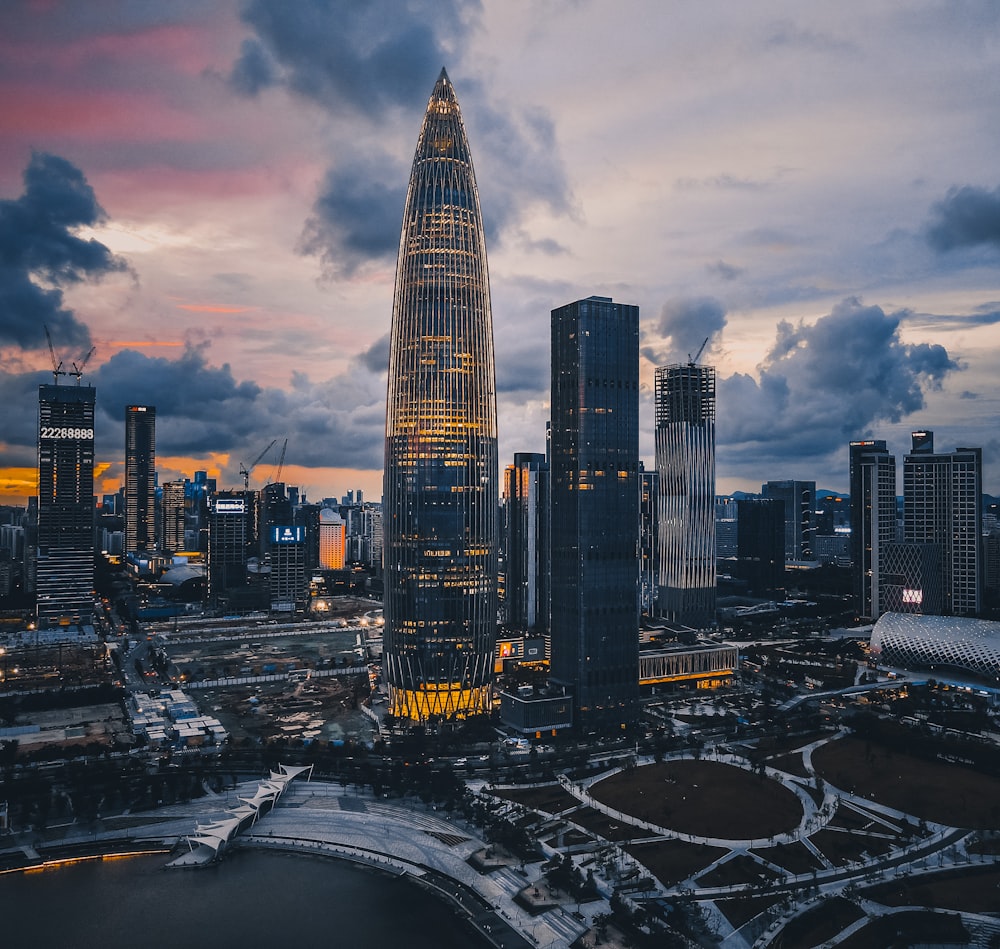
(526, 582)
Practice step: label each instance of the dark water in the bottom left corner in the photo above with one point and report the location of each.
(249, 900)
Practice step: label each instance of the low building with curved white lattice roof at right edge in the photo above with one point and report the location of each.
(957, 642)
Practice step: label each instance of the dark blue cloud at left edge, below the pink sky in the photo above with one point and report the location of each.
(40, 254)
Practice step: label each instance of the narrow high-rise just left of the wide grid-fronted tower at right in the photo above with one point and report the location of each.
(873, 522)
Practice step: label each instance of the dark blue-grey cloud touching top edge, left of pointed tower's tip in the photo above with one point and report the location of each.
(349, 56)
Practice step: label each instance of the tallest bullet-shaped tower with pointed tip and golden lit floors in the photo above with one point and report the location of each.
(440, 514)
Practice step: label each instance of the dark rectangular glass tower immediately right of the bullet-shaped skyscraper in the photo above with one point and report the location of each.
(594, 471)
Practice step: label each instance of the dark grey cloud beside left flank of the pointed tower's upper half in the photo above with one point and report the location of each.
(357, 216)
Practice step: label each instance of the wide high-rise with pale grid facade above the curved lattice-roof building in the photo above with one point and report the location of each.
(942, 508)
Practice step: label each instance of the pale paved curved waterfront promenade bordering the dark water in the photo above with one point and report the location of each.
(393, 836)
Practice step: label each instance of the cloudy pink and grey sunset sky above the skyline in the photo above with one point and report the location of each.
(210, 194)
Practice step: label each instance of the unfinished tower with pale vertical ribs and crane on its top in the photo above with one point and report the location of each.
(685, 460)
